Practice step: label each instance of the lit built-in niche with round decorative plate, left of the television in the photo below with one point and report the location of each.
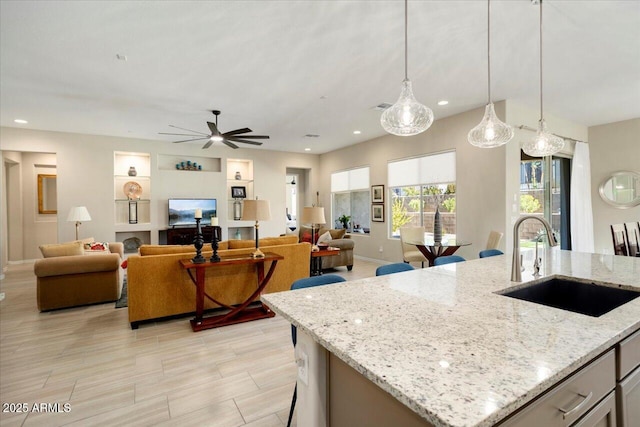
(122, 164)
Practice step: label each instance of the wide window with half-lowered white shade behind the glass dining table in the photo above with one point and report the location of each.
(417, 186)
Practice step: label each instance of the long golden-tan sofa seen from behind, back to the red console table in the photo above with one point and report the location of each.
(158, 287)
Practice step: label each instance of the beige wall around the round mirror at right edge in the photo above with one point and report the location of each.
(612, 147)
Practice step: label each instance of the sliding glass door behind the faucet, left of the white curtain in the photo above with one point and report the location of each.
(547, 195)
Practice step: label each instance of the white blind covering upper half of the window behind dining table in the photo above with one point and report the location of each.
(433, 169)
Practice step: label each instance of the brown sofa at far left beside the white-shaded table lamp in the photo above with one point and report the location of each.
(69, 276)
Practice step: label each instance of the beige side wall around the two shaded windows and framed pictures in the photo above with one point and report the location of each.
(480, 197)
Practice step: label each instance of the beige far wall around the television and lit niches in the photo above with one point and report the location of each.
(85, 177)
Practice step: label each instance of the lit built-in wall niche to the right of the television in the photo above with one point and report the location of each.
(239, 229)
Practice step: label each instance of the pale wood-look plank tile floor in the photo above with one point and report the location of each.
(161, 374)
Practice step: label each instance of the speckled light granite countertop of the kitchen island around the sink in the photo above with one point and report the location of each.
(442, 342)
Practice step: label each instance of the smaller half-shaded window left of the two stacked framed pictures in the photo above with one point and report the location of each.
(350, 197)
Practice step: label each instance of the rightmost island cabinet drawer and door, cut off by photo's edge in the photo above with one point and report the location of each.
(628, 388)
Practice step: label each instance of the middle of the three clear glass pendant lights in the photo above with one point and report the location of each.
(491, 132)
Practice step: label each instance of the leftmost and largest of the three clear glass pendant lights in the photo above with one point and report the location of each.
(407, 116)
